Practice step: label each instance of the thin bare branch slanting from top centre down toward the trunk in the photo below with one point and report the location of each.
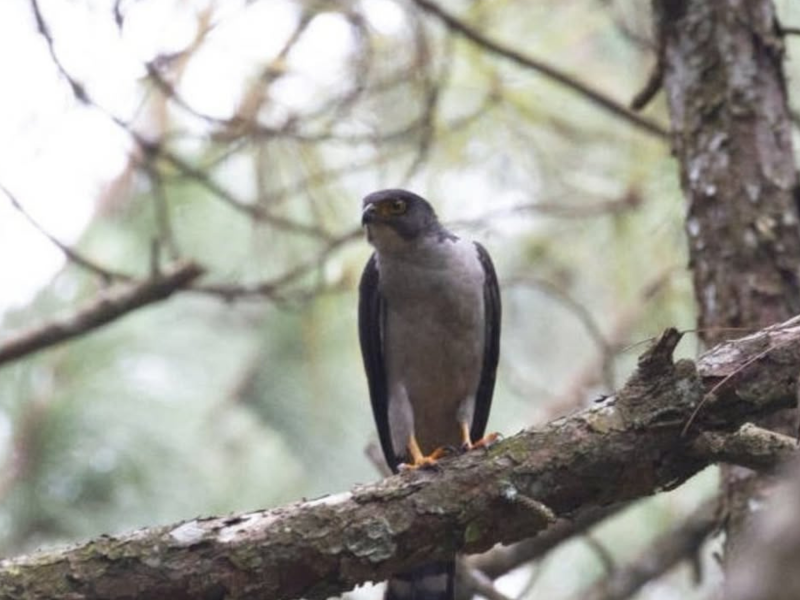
(591, 94)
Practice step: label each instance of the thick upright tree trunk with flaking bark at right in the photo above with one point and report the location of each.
(732, 136)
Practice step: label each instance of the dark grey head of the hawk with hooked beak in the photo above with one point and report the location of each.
(395, 218)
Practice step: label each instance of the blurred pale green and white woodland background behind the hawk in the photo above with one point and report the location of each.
(242, 135)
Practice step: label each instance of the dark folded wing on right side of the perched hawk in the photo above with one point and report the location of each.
(491, 345)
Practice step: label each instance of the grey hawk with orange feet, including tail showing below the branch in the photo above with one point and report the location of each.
(429, 317)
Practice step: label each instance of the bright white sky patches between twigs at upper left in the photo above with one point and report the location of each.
(57, 155)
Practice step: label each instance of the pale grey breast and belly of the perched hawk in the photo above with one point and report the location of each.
(434, 334)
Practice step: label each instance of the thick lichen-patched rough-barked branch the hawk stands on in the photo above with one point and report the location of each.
(633, 444)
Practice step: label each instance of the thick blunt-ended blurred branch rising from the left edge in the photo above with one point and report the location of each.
(109, 305)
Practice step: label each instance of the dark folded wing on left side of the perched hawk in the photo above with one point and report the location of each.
(371, 316)
